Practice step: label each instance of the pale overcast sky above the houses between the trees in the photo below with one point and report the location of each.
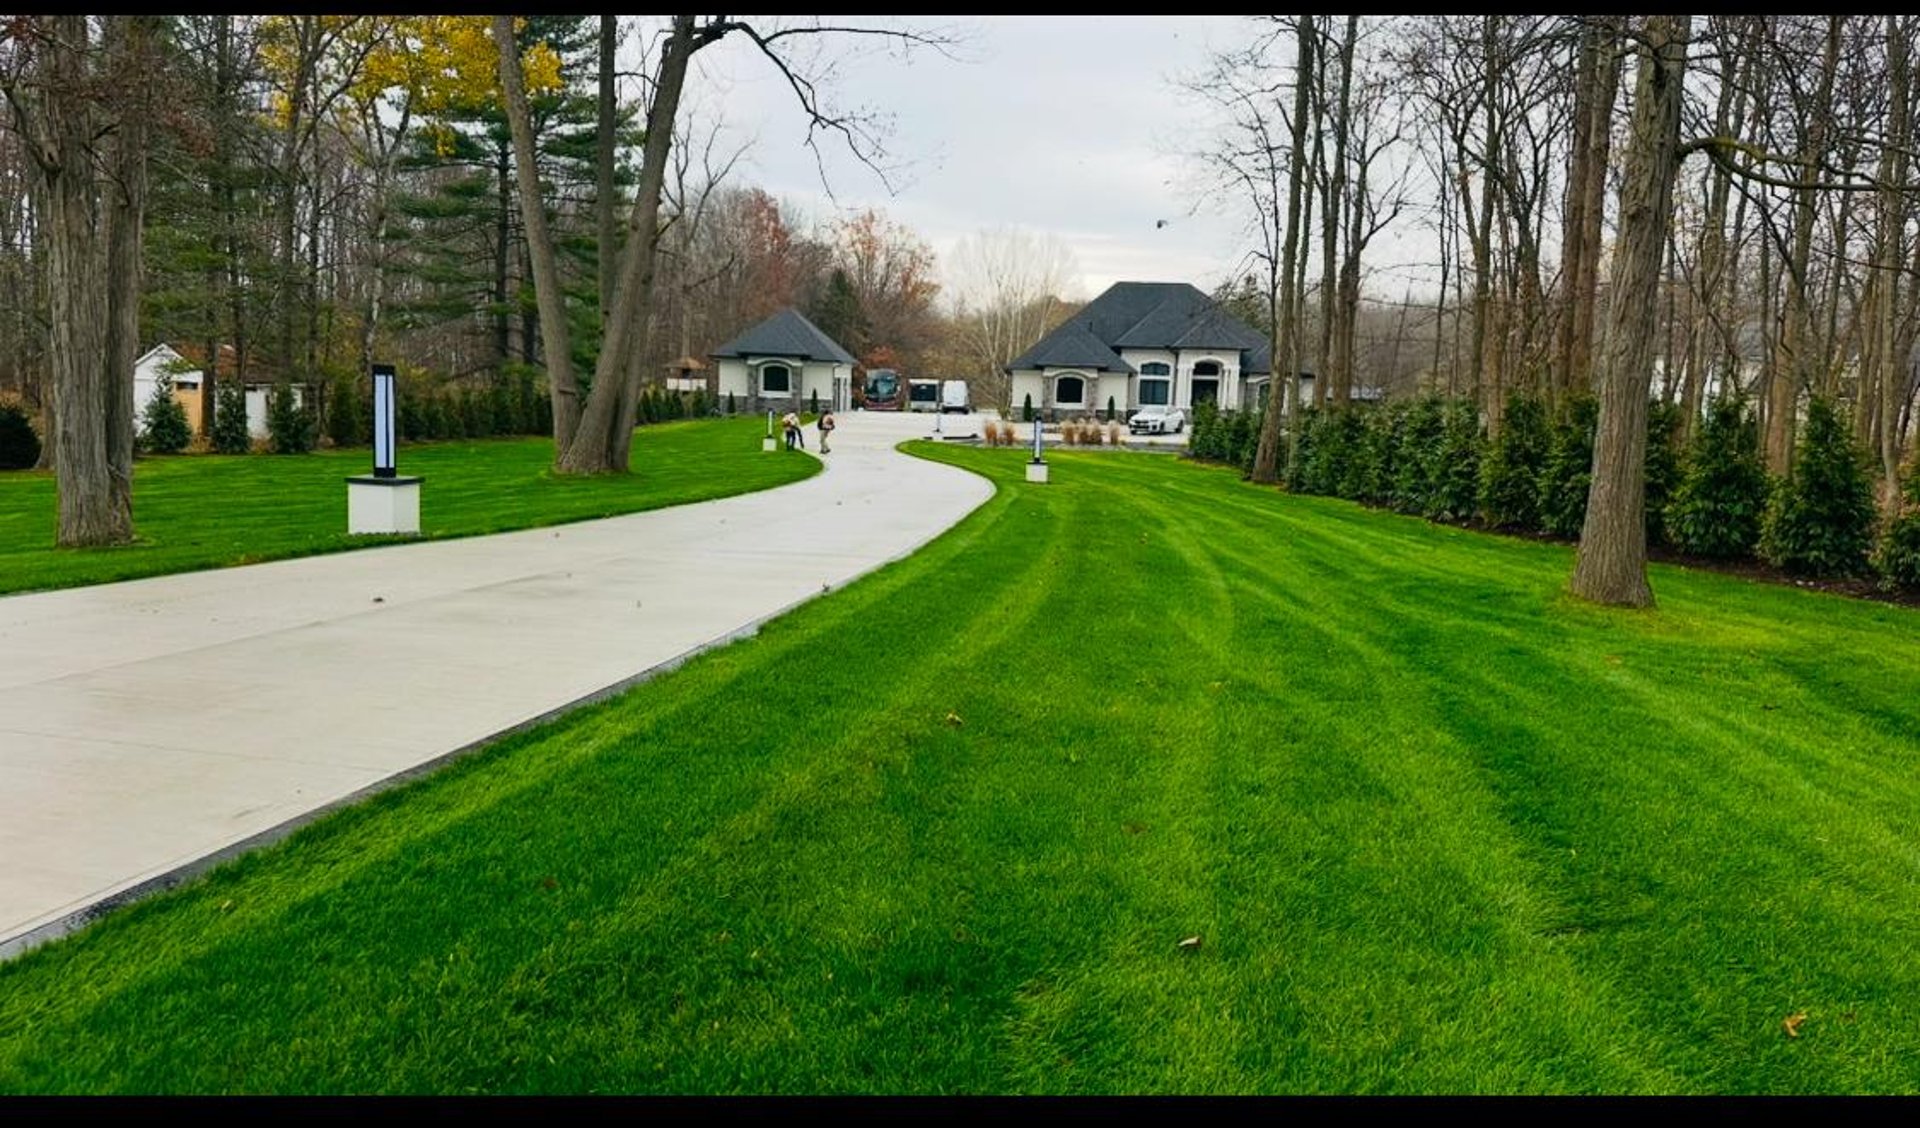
(1051, 124)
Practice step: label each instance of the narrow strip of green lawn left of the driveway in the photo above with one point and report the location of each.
(210, 511)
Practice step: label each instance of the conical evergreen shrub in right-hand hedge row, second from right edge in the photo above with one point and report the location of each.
(1823, 515)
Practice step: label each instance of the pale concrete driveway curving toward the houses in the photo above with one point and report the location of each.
(158, 726)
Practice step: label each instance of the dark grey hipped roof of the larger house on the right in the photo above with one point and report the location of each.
(1147, 316)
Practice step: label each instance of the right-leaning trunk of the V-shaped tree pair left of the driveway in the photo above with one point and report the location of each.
(608, 421)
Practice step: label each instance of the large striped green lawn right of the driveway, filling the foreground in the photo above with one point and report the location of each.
(1437, 832)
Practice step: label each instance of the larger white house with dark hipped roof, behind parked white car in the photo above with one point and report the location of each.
(1143, 344)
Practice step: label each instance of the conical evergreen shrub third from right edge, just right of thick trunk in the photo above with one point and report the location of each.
(1721, 500)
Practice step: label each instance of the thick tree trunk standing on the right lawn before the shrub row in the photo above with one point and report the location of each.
(1614, 542)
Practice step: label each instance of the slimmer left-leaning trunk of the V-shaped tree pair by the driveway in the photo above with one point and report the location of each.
(548, 294)
